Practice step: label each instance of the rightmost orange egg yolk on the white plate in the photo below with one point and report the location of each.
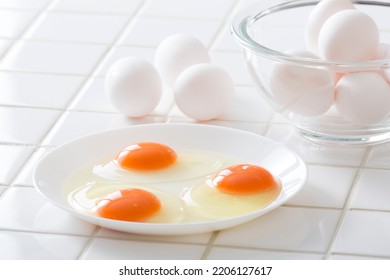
(244, 179)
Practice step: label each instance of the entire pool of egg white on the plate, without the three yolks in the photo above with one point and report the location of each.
(183, 189)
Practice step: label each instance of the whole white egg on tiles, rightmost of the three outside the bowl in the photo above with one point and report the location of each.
(203, 91)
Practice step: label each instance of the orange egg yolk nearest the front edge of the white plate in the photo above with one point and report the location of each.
(132, 205)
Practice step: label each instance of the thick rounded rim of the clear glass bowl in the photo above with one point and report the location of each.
(241, 29)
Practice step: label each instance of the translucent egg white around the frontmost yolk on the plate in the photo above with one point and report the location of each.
(86, 197)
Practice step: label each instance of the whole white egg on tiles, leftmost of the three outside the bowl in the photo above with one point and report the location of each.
(133, 86)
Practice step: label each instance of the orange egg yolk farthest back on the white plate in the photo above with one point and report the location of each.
(146, 156)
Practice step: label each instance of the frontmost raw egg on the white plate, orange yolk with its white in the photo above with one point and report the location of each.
(132, 203)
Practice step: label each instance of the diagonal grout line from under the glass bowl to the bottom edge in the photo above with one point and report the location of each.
(348, 202)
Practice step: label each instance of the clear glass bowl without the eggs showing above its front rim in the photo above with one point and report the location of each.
(315, 94)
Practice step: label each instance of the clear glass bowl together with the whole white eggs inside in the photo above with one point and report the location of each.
(323, 65)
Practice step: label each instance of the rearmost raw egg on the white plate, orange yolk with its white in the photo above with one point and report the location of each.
(149, 162)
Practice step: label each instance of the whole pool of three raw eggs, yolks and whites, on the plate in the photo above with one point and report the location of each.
(150, 182)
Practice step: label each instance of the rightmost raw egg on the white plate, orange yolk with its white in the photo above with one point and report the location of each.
(233, 191)
